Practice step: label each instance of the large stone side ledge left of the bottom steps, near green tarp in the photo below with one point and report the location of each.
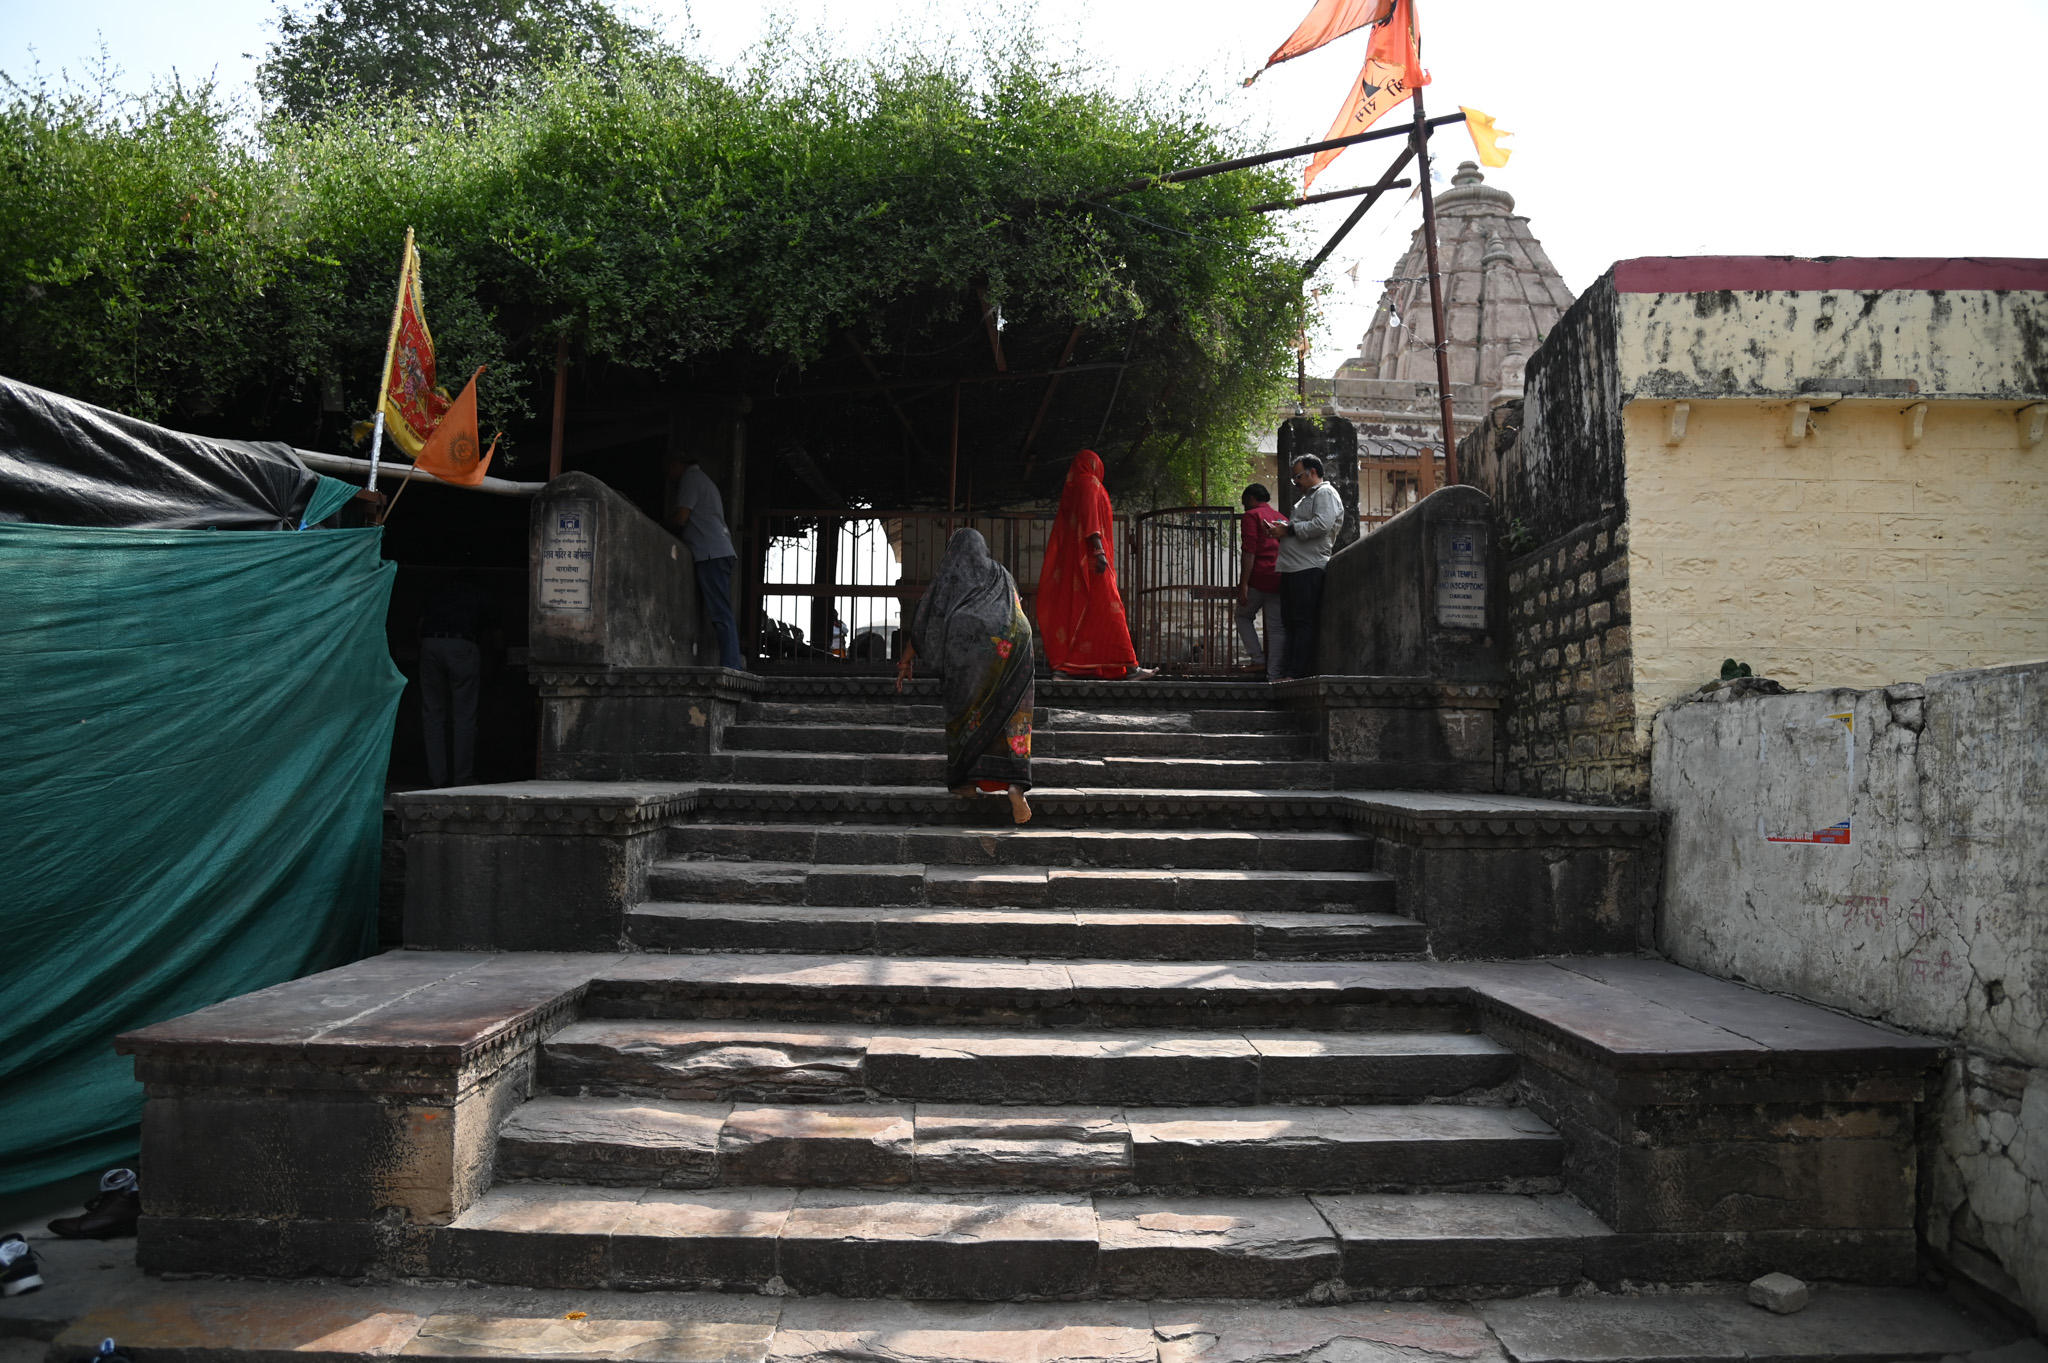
(353, 1096)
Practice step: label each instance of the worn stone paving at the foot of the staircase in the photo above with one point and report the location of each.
(269, 1323)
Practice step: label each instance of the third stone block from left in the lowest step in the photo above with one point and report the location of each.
(1213, 1247)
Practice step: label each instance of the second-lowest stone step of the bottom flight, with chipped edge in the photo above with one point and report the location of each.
(663, 1143)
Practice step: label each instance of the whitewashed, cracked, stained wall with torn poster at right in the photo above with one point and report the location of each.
(1881, 852)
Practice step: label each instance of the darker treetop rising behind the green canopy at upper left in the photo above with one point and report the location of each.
(439, 54)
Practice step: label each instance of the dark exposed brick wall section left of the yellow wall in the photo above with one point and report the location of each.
(1572, 711)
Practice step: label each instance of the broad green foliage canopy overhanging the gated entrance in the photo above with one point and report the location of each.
(706, 230)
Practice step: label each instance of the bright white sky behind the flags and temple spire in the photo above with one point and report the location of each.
(1646, 128)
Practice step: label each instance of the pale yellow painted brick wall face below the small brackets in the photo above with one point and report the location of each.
(1846, 560)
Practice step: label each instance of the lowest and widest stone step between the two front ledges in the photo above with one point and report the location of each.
(994, 1247)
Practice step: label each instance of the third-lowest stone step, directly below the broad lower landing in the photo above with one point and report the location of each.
(839, 1063)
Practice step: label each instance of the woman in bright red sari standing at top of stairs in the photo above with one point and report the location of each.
(1080, 613)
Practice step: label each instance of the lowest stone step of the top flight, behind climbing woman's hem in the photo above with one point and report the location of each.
(775, 768)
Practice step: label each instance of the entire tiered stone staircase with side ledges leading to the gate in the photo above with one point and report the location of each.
(1205, 1028)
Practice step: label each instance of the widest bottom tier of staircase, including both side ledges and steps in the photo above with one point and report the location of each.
(841, 1125)
